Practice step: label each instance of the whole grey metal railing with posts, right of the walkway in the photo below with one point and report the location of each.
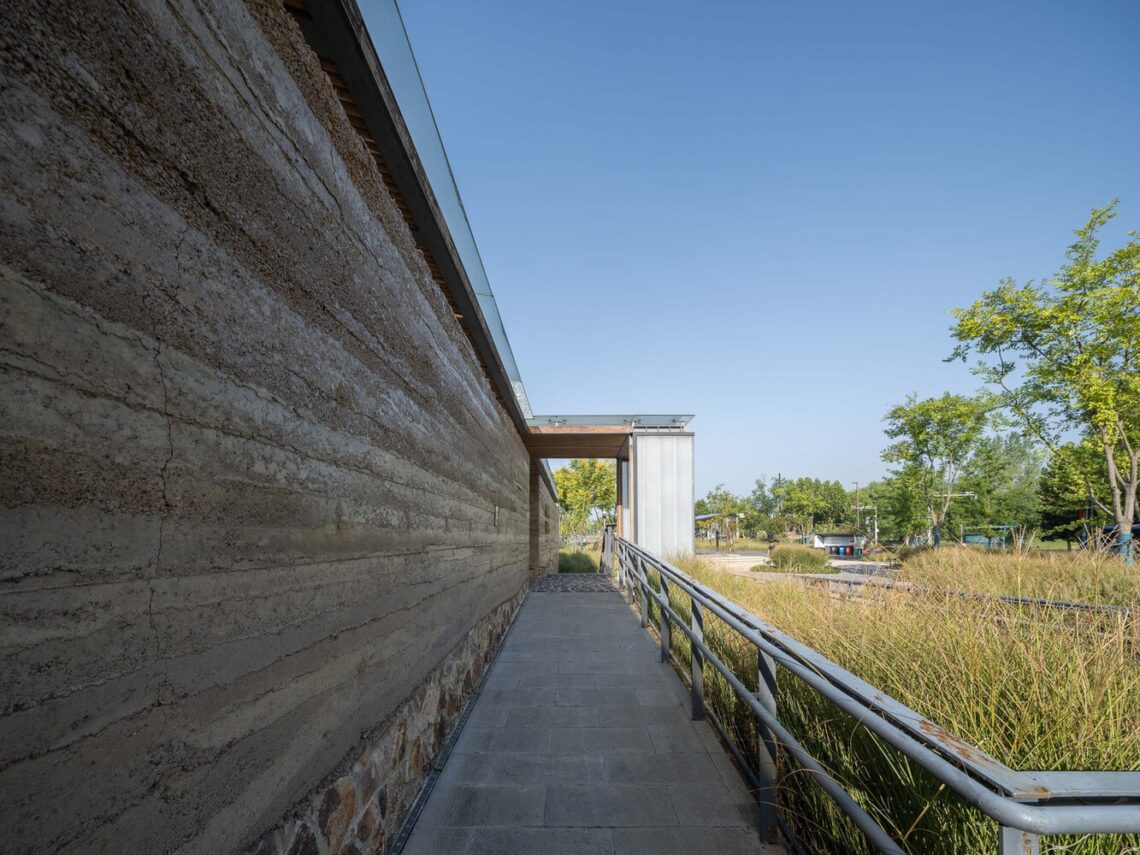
(1025, 805)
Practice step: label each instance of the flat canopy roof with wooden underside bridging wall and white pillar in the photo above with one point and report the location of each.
(591, 436)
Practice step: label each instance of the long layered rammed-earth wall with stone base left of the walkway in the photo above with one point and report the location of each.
(260, 511)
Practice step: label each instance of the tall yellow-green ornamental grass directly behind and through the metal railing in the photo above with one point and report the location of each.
(1033, 694)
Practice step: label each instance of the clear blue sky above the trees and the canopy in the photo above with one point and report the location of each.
(762, 213)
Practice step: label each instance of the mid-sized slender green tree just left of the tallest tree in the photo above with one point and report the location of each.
(933, 441)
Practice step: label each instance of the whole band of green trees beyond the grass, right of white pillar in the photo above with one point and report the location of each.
(1046, 453)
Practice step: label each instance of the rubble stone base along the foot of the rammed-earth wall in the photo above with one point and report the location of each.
(360, 811)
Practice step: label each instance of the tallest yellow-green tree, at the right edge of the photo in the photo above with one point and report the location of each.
(1065, 356)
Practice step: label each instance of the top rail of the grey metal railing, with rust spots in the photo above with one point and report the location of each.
(1110, 802)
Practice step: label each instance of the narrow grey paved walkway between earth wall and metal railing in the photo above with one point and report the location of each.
(582, 743)
